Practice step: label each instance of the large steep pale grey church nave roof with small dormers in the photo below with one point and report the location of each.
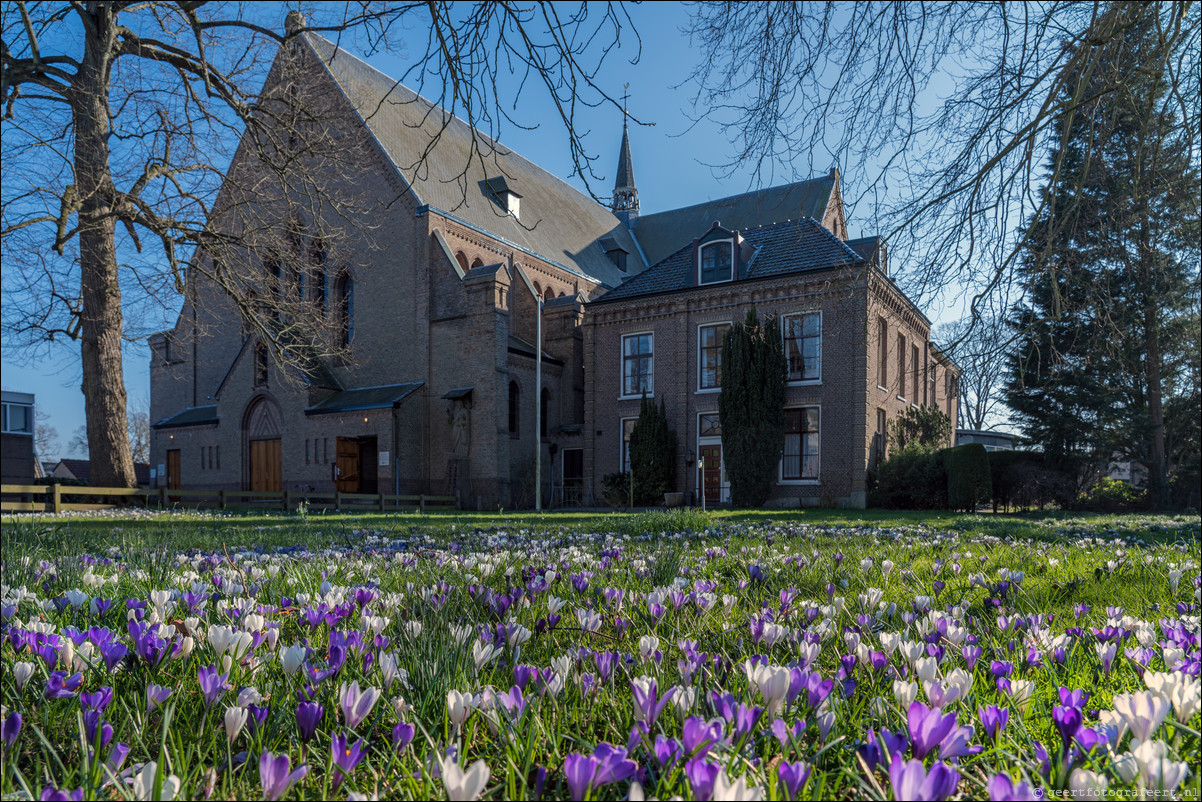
(558, 223)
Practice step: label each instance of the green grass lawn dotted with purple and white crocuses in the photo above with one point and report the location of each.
(730, 569)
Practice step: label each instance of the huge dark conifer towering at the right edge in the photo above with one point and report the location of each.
(1111, 276)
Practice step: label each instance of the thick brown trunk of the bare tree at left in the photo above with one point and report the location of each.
(100, 318)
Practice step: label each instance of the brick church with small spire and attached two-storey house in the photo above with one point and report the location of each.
(468, 264)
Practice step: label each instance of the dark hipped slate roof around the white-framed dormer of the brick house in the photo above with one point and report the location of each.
(782, 249)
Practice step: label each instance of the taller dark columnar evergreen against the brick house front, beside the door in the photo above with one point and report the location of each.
(752, 407)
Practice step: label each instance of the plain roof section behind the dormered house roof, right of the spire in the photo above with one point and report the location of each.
(664, 233)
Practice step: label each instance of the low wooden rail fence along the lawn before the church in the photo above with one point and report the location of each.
(53, 498)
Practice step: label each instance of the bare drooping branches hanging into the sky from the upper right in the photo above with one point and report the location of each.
(798, 86)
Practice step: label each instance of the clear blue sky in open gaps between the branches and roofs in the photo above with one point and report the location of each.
(671, 171)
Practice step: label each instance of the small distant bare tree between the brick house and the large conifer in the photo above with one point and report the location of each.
(980, 350)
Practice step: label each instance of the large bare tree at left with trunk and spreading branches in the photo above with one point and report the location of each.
(121, 126)
